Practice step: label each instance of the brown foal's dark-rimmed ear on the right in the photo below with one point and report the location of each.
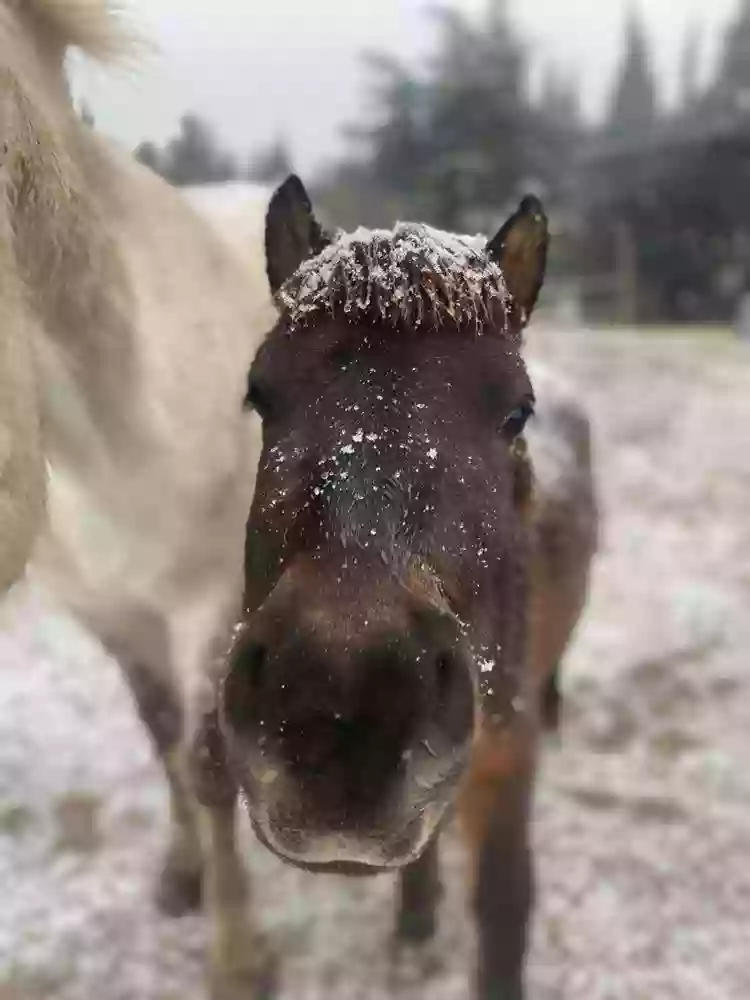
(520, 249)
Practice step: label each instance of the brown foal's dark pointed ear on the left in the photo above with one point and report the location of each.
(292, 232)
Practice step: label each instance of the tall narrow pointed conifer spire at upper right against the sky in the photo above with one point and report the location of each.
(634, 105)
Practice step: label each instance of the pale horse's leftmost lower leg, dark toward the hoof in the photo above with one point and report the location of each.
(179, 887)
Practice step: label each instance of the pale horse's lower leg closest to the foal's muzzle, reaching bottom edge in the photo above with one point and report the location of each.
(243, 965)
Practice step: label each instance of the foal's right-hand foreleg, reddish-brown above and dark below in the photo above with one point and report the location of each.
(494, 808)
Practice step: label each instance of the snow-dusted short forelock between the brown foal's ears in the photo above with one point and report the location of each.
(407, 276)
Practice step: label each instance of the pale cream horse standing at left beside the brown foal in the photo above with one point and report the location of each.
(129, 321)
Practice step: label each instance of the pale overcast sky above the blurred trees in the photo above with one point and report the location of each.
(258, 68)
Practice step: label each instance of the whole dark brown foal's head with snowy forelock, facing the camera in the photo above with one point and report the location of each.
(385, 557)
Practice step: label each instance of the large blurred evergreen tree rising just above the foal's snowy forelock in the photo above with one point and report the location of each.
(454, 141)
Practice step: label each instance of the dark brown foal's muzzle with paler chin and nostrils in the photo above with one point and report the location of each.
(348, 730)
